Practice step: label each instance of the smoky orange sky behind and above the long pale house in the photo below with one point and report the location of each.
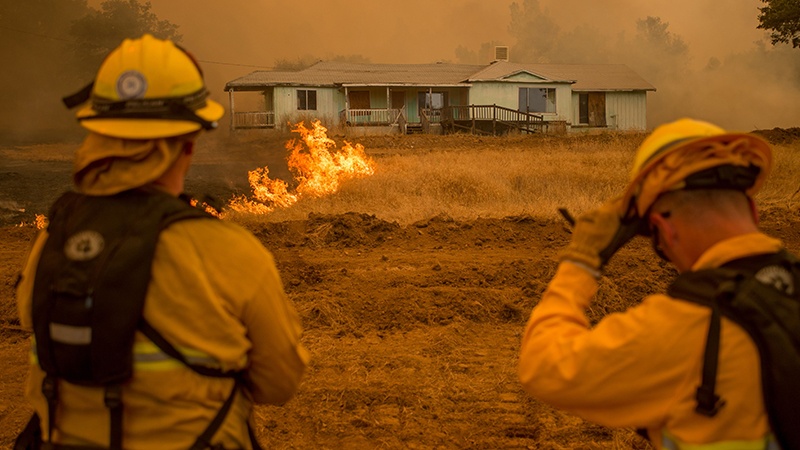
(706, 59)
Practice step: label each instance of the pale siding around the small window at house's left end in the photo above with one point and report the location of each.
(286, 106)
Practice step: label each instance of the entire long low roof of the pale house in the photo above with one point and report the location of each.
(585, 77)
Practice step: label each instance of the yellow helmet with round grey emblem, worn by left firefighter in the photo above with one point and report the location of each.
(147, 88)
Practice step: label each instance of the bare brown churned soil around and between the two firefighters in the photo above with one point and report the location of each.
(413, 330)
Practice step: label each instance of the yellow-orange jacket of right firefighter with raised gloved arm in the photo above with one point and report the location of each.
(641, 368)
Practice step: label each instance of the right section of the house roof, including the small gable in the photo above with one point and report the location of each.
(586, 77)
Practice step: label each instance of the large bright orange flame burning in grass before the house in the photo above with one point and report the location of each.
(317, 166)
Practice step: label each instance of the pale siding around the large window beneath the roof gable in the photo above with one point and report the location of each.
(506, 94)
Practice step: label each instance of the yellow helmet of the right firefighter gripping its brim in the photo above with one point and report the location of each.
(693, 154)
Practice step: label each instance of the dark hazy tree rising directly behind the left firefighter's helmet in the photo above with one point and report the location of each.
(100, 31)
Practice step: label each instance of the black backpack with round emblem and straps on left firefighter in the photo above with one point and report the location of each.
(89, 295)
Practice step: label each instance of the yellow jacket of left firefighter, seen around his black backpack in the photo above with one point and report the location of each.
(214, 293)
